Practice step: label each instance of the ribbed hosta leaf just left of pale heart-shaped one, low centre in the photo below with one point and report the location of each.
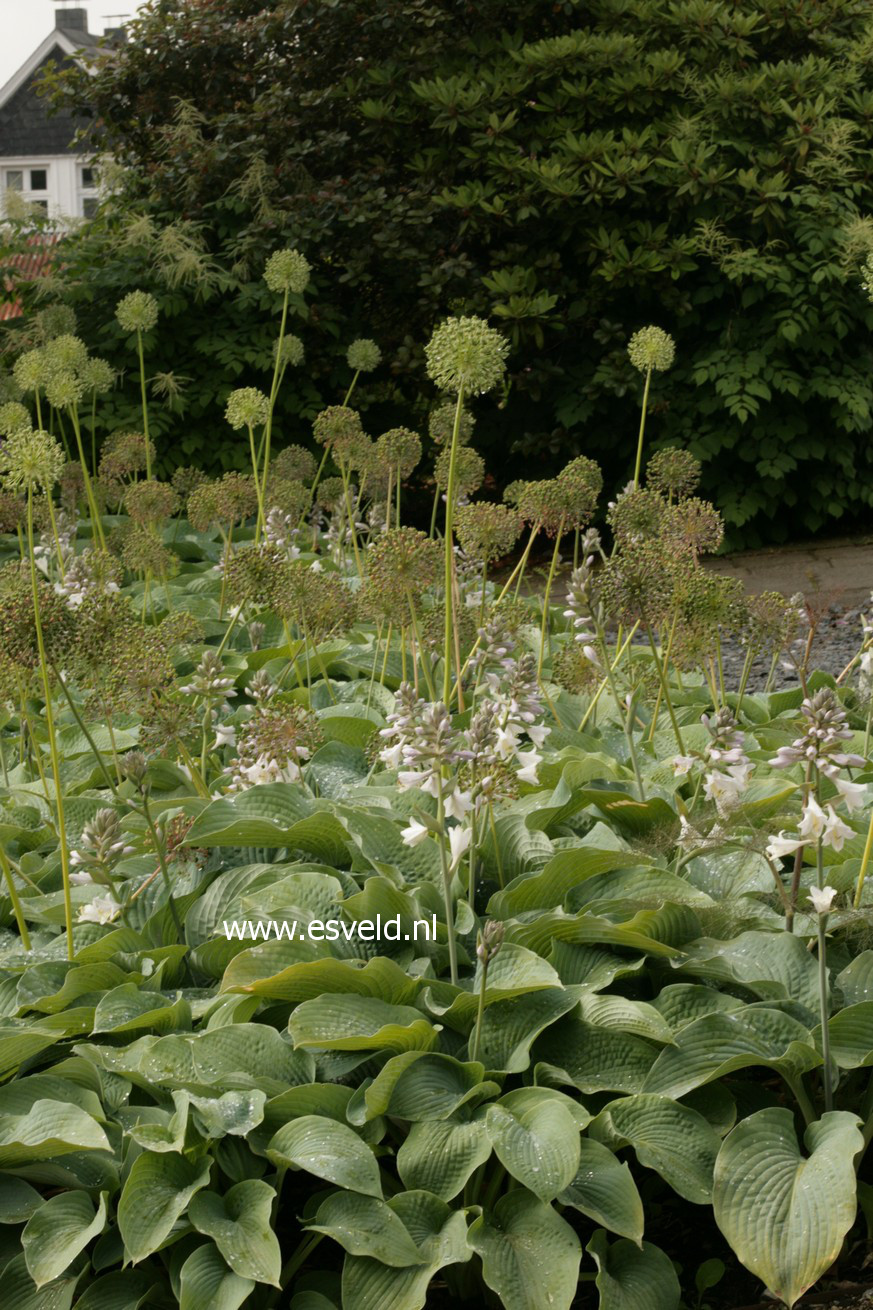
(441, 1157)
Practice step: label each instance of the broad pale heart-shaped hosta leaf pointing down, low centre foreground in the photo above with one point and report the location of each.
(537, 1142)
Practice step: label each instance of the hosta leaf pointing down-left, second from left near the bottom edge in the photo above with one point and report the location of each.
(154, 1198)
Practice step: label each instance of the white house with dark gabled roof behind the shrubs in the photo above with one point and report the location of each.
(39, 157)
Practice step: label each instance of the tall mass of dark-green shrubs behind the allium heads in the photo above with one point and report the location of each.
(572, 171)
